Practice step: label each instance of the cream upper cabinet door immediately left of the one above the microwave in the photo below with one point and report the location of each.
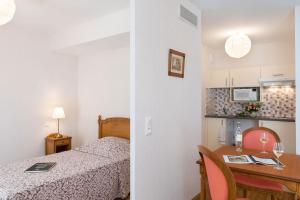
(218, 78)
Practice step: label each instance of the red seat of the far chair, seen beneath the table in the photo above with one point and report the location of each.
(258, 183)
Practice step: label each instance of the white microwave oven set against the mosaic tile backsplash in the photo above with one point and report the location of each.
(245, 94)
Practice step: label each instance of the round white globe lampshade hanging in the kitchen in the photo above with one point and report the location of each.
(238, 45)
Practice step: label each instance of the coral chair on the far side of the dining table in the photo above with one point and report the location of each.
(251, 140)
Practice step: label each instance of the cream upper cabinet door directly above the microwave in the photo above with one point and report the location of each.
(245, 77)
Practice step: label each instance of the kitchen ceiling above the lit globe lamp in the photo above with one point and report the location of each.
(262, 20)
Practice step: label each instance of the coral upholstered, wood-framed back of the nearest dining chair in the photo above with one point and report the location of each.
(220, 179)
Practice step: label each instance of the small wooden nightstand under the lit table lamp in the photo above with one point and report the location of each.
(56, 145)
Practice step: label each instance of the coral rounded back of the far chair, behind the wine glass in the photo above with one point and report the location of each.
(251, 138)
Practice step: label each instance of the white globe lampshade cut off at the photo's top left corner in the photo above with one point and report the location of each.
(7, 11)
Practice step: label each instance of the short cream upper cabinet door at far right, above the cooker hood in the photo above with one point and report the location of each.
(268, 72)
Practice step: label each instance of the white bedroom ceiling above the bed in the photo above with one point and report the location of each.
(50, 16)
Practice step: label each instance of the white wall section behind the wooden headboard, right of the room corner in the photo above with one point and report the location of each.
(103, 88)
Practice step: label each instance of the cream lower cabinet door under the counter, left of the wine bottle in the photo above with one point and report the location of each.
(213, 128)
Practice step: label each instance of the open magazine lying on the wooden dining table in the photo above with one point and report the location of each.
(249, 159)
